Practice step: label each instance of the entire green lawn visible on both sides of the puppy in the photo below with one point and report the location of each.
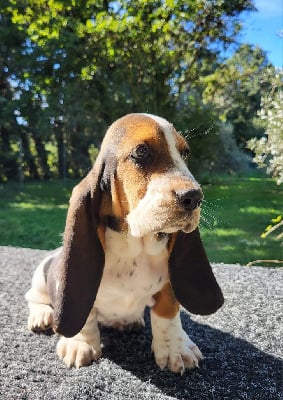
(234, 214)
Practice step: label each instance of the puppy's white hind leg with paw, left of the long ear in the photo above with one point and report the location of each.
(41, 313)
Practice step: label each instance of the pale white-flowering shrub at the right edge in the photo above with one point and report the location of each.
(269, 149)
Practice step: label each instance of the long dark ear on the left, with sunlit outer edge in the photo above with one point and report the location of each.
(80, 265)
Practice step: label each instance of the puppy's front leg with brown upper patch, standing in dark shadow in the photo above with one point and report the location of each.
(171, 345)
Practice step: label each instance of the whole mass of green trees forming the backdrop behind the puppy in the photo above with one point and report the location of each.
(70, 68)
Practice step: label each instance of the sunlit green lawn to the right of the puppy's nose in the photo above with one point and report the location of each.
(235, 213)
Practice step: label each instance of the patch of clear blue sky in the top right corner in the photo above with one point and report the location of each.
(263, 28)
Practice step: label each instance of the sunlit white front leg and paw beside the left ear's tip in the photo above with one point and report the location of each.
(83, 348)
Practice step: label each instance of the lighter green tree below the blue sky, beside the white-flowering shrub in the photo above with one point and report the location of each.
(236, 87)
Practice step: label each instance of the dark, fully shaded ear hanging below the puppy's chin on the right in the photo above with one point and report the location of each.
(191, 276)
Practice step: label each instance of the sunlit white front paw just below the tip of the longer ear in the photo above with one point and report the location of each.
(77, 353)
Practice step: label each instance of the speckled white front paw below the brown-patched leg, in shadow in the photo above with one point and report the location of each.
(176, 352)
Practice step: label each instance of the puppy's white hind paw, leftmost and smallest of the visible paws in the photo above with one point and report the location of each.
(40, 317)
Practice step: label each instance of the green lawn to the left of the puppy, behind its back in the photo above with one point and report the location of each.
(33, 214)
